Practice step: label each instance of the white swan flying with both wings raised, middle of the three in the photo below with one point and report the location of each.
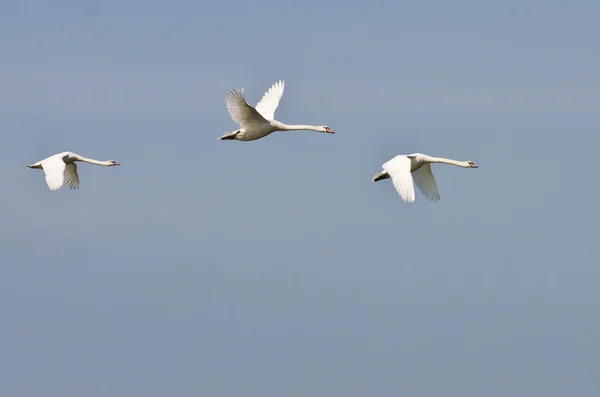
(259, 122)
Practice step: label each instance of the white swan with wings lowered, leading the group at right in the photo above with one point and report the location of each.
(403, 169)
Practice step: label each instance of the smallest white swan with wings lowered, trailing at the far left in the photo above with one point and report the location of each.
(61, 167)
